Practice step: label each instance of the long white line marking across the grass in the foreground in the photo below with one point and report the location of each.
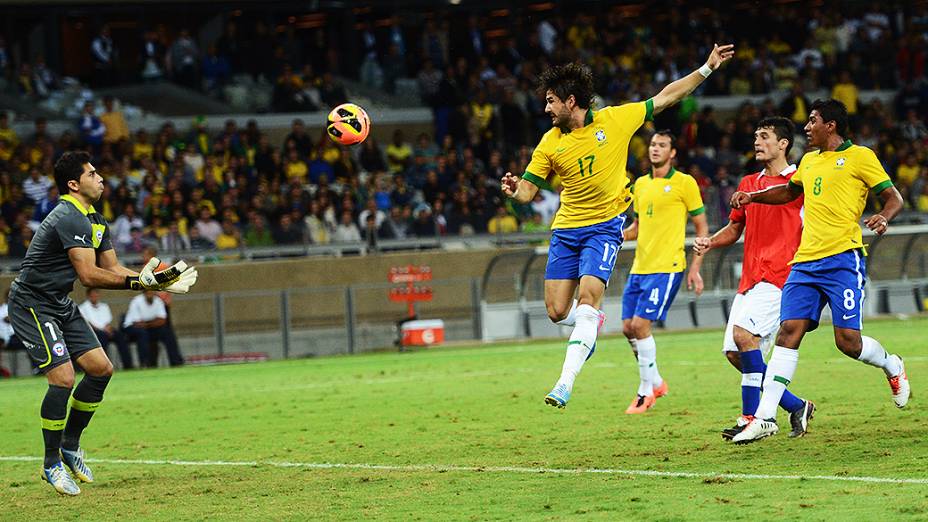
(490, 469)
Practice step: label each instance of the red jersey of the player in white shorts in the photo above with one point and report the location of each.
(771, 232)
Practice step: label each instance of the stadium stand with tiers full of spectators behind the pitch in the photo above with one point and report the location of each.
(181, 187)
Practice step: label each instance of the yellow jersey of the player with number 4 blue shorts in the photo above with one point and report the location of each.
(663, 205)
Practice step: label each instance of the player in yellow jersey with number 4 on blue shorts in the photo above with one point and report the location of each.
(663, 200)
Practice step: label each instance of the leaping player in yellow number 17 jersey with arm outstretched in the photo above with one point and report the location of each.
(585, 152)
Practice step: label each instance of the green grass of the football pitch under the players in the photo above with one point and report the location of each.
(481, 407)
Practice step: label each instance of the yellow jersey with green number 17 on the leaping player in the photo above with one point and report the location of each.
(589, 163)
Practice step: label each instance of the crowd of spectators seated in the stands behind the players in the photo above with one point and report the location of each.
(188, 188)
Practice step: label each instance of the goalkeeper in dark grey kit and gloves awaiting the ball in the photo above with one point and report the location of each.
(73, 242)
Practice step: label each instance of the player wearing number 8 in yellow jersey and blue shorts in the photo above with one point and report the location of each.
(829, 267)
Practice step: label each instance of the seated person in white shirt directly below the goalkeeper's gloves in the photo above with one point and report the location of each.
(146, 322)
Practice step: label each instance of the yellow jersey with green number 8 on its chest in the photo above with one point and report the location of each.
(835, 185)
